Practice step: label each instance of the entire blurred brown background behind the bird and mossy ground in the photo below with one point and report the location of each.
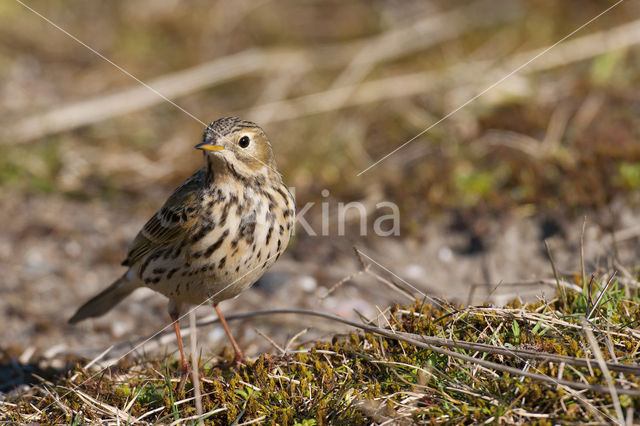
(87, 154)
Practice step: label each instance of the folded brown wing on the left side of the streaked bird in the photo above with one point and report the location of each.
(173, 220)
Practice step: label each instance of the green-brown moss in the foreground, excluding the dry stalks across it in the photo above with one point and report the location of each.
(364, 378)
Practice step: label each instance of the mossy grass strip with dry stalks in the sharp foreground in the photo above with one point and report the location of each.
(429, 363)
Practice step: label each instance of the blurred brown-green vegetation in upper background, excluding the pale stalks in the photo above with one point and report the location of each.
(567, 141)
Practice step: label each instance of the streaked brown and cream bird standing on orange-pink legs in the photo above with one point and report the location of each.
(216, 234)
